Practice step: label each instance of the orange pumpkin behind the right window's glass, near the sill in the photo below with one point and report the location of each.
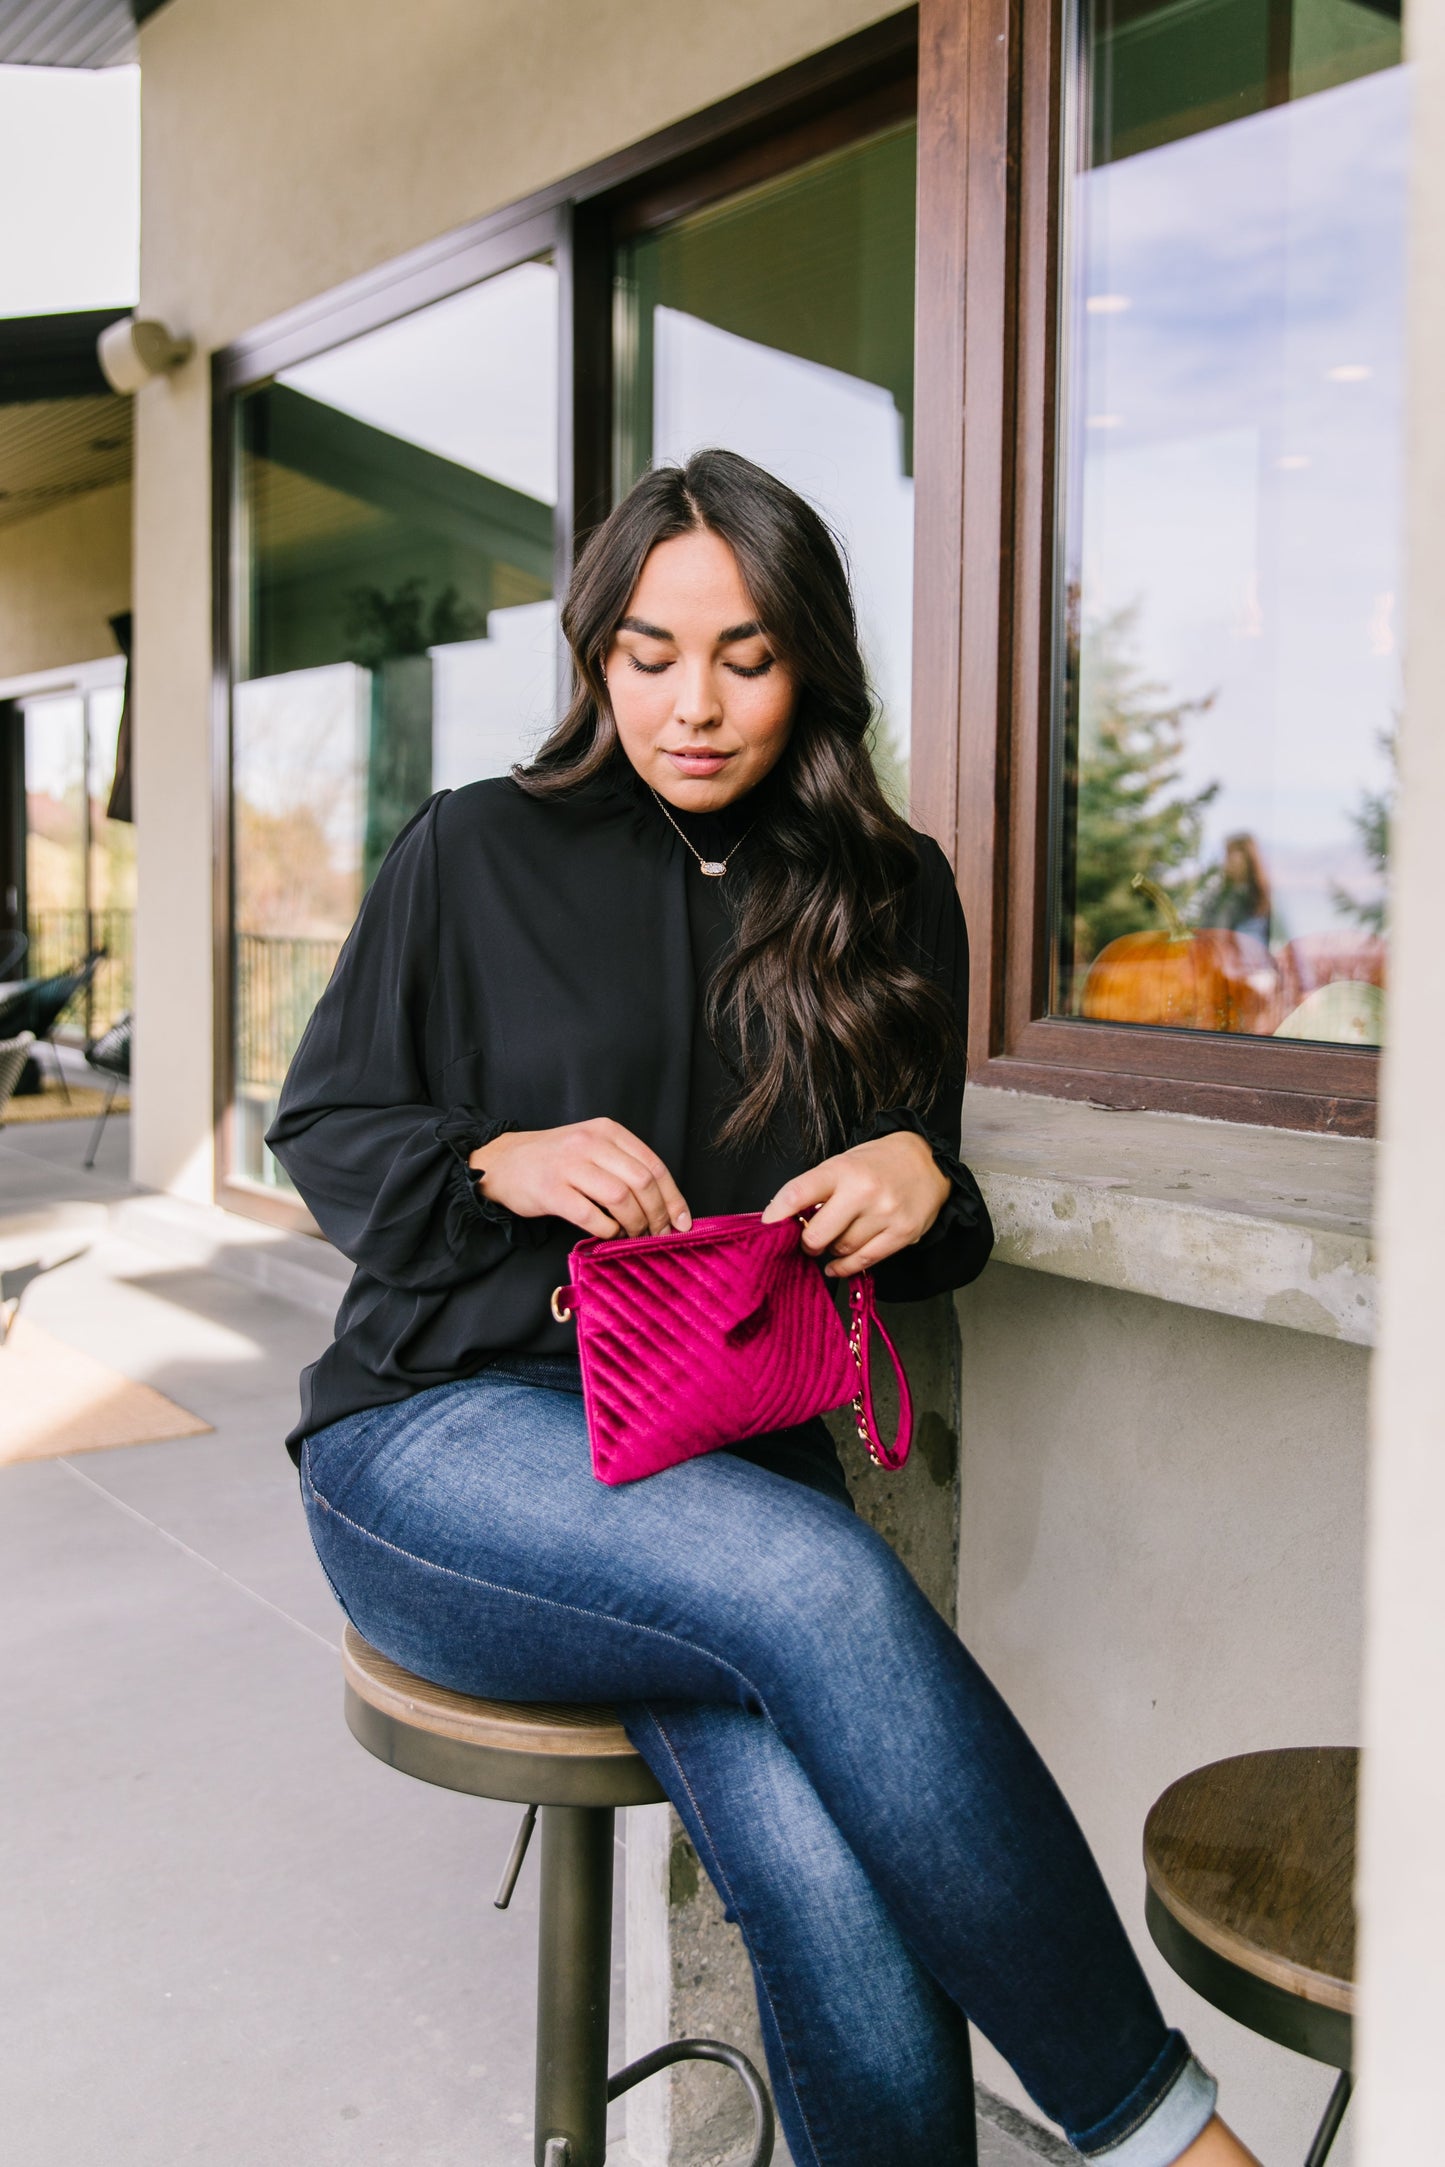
(1190, 981)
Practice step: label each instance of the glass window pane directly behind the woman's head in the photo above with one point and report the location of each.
(781, 324)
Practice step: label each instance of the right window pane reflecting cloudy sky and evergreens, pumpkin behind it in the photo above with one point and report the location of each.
(1232, 530)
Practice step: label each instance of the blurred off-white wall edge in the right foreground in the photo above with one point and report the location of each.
(1403, 1865)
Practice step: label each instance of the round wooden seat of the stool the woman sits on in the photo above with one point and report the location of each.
(495, 1750)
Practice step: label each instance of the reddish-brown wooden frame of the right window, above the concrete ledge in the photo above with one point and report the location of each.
(991, 103)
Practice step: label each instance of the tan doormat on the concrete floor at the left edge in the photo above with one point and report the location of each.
(55, 1401)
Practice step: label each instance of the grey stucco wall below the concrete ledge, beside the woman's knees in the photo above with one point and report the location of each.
(1160, 1563)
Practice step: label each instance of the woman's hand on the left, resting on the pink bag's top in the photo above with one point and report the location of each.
(595, 1173)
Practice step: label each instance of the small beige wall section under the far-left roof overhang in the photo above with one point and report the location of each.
(64, 575)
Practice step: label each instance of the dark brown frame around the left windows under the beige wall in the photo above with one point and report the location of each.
(820, 105)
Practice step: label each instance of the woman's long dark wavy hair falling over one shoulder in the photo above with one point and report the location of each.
(818, 1007)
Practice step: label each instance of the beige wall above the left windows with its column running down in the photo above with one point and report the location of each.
(289, 148)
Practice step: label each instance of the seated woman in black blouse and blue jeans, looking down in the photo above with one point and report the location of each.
(690, 961)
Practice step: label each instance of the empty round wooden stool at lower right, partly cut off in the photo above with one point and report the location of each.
(1251, 1884)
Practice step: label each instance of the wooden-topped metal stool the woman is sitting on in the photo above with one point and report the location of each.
(580, 1767)
